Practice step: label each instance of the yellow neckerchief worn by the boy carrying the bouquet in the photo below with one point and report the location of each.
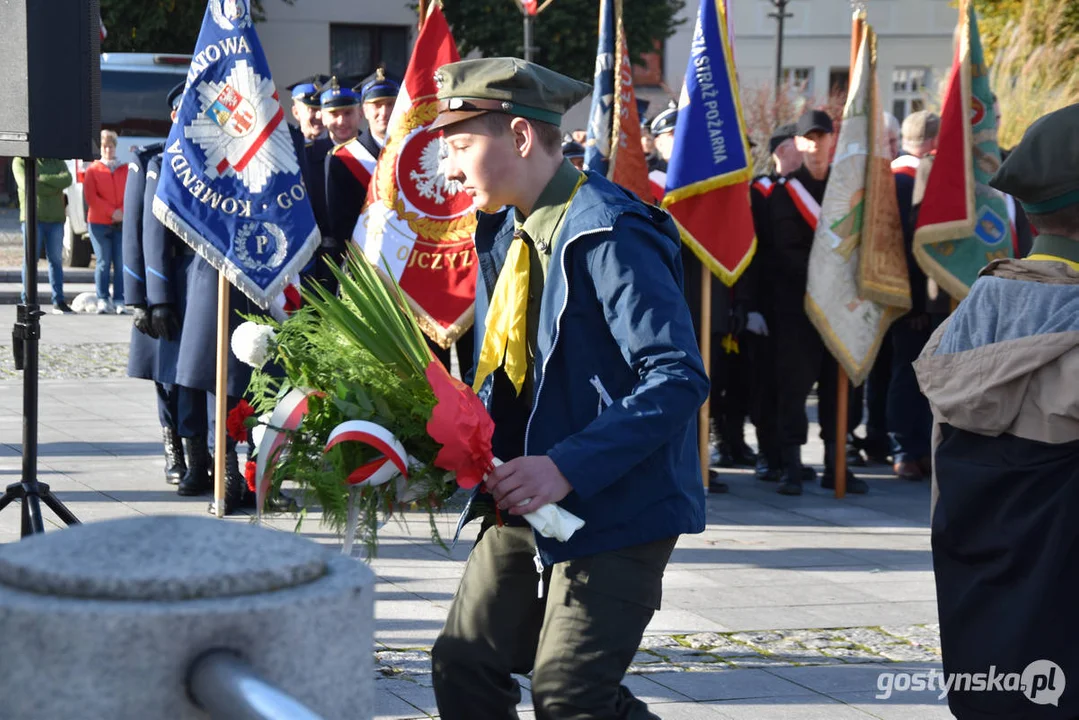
(506, 332)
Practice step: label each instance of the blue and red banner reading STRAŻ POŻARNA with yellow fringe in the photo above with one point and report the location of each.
(709, 172)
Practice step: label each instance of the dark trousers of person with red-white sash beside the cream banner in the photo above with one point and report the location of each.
(807, 361)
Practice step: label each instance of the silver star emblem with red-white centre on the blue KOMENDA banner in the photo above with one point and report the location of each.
(240, 128)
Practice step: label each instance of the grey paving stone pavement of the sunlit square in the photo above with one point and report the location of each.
(783, 608)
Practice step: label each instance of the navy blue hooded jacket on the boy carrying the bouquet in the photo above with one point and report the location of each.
(613, 327)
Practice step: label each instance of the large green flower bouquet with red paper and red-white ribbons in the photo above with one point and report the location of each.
(365, 419)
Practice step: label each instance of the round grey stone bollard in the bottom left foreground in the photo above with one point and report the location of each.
(103, 621)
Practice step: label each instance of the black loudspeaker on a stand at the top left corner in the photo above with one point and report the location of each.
(50, 78)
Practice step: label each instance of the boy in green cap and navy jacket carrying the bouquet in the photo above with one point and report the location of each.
(588, 362)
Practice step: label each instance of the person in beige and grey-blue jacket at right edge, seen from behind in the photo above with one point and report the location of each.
(1002, 376)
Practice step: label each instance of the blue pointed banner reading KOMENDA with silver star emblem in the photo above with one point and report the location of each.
(230, 182)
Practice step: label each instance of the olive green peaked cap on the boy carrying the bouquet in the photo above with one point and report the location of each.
(504, 85)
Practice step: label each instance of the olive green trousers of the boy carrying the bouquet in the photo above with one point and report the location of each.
(578, 641)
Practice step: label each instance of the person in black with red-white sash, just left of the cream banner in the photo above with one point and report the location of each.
(802, 358)
